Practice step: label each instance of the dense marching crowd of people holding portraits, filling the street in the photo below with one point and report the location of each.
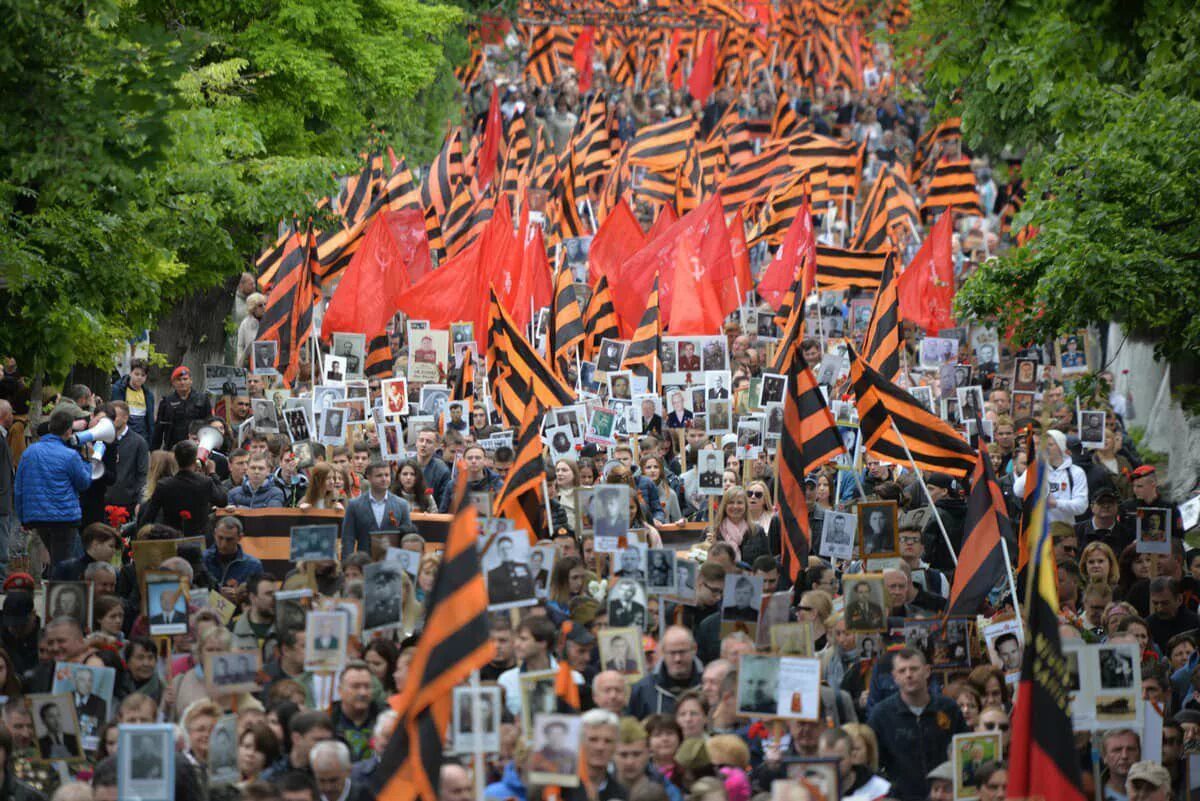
(671, 609)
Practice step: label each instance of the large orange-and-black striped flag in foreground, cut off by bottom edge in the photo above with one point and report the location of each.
(453, 645)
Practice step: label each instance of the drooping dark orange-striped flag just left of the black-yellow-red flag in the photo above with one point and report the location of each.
(981, 564)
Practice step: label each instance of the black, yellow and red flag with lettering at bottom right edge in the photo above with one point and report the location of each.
(1042, 758)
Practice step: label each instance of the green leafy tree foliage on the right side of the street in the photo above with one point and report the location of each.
(1105, 99)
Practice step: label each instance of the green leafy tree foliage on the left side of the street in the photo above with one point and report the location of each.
(149, 150)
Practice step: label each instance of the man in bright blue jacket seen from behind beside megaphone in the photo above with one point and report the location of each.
(50, 480)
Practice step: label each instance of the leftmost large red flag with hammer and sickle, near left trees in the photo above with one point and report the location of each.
(394, 255)
